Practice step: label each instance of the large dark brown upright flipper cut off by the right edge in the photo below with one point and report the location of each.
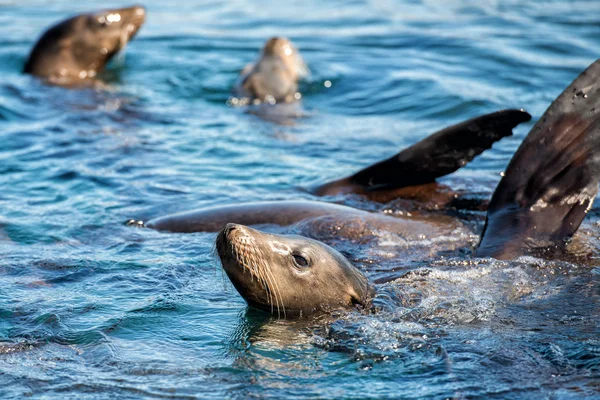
(552, 179)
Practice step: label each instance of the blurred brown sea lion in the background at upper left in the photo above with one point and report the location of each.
(75, 50)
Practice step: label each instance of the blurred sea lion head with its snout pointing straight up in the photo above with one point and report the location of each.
(274, 77)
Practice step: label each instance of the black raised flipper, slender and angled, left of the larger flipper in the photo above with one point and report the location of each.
(437, 155)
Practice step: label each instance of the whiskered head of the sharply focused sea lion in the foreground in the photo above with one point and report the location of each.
(289, 274)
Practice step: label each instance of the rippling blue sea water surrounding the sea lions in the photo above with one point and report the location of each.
(90, 308)
